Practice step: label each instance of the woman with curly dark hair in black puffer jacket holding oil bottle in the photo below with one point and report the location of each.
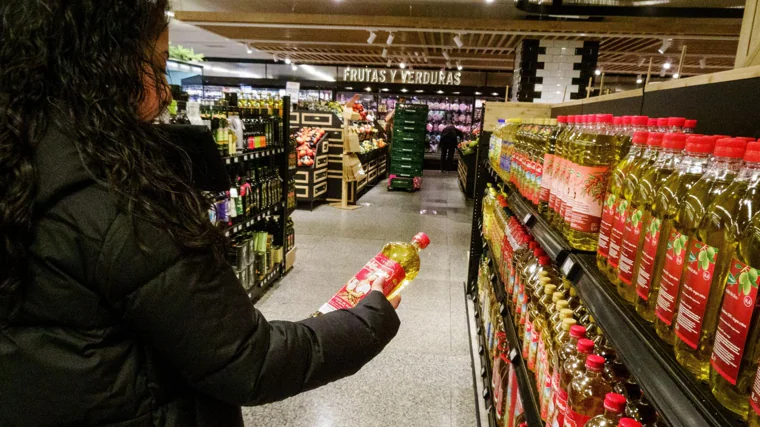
(116, 307)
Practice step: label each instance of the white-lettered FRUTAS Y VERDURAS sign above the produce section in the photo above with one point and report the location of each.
(412, 77)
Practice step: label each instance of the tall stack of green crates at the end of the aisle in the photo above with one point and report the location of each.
(408, 146)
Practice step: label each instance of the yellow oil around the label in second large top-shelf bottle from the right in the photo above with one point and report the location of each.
(714, 232)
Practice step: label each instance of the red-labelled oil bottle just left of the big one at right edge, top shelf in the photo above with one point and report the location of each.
(708, 255)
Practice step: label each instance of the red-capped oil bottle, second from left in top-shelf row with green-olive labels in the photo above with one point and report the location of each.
(623, 210)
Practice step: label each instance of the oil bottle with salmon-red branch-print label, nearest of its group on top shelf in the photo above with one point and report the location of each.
(593, 158)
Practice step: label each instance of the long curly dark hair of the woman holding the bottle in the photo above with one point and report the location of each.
(83, 63)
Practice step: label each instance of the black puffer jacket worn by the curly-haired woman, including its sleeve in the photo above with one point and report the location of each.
(109, 335)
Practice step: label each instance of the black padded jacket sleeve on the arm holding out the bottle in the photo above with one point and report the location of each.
(197, 317)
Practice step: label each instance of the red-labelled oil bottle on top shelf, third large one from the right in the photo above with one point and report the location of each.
(675, 229)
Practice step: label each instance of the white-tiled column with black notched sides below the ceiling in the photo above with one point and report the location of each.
(551, 71)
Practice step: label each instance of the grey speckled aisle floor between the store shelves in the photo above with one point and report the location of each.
(424, 377)
